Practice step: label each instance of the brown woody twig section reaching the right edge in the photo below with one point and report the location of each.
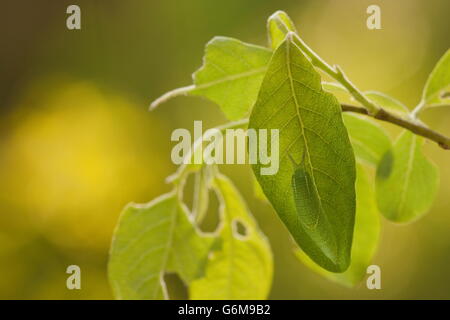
(414, 127)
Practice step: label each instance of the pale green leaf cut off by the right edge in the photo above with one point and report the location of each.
(438, 82)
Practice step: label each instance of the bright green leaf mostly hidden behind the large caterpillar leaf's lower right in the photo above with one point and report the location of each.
(365, 237)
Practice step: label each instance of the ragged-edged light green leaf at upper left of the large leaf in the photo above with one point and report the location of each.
(231, 75)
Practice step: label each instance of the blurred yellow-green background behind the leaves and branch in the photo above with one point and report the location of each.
(77, 142)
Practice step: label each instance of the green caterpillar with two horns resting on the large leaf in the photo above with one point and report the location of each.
(306, 198)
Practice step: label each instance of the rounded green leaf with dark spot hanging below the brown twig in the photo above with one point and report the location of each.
(406, 181)
